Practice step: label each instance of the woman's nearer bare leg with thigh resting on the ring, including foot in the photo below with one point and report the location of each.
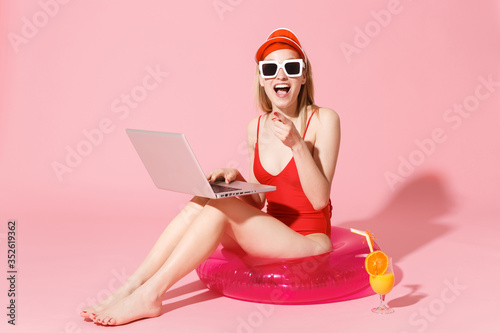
(256, 232)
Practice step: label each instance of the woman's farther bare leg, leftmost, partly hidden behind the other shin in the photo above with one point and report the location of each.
(155, 258)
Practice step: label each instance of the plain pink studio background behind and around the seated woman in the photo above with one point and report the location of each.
(395, 71)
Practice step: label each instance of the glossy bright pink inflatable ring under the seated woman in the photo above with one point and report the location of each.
(335, 276)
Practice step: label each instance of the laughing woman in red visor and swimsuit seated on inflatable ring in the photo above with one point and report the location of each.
(293, 146)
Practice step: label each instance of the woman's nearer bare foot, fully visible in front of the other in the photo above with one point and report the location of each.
(133, 307)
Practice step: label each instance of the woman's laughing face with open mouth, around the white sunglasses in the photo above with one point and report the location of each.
(283, 90)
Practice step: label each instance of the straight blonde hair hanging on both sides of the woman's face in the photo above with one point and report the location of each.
(305, 97)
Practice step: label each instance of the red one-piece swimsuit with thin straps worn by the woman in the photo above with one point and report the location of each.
(289, 203)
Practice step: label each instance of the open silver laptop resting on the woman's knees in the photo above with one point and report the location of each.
(171, 163)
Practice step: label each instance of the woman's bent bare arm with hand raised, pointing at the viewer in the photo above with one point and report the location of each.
(315, 170)
